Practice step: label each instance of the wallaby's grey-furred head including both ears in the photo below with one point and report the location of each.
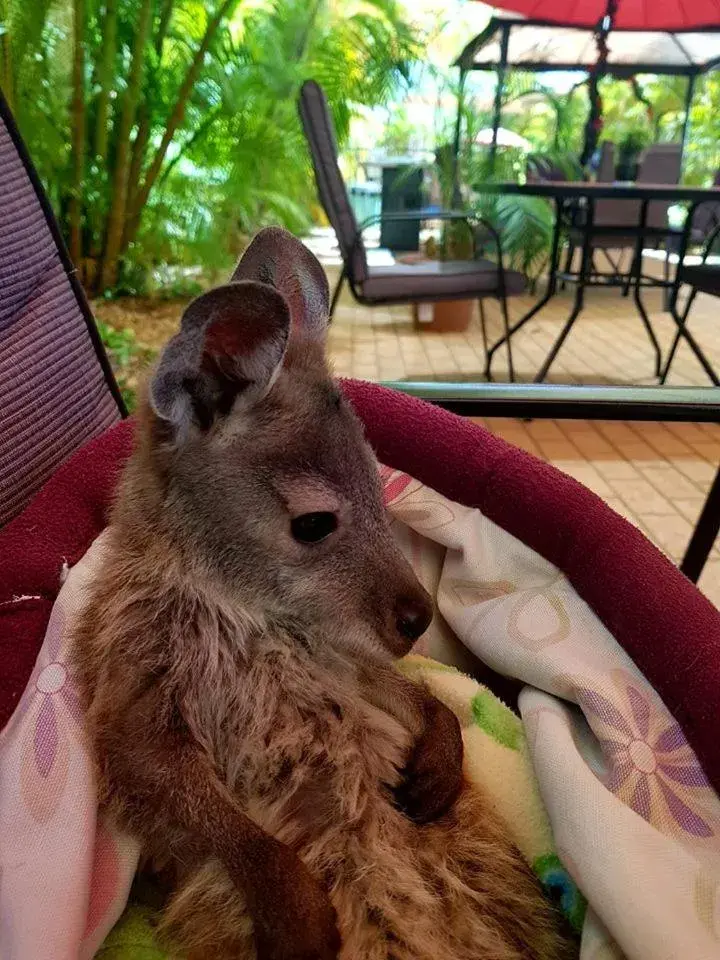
(288, 439)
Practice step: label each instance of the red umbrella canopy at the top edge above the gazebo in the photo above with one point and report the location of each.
(630, 15)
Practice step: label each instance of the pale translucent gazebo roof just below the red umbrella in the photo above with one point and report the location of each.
(537, 46)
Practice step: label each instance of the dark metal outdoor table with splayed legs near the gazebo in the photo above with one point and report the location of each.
(568, 194)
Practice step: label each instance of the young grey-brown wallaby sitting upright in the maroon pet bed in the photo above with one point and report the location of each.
(236, 659)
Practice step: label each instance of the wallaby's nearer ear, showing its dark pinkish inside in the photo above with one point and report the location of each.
(231, 344)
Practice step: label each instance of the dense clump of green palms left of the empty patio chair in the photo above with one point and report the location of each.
(176, 150)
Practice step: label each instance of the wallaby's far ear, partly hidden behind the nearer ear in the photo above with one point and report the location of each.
(278, 258)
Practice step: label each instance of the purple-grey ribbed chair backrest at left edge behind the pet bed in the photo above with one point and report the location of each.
(47, 335)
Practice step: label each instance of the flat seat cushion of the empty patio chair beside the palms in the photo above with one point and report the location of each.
(436, 280)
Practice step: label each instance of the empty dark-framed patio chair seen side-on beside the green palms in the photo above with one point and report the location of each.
(425, 282)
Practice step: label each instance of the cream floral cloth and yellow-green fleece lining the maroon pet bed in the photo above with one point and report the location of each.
(596, 780)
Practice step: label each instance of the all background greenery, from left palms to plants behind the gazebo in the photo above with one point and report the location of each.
(165, 155)
